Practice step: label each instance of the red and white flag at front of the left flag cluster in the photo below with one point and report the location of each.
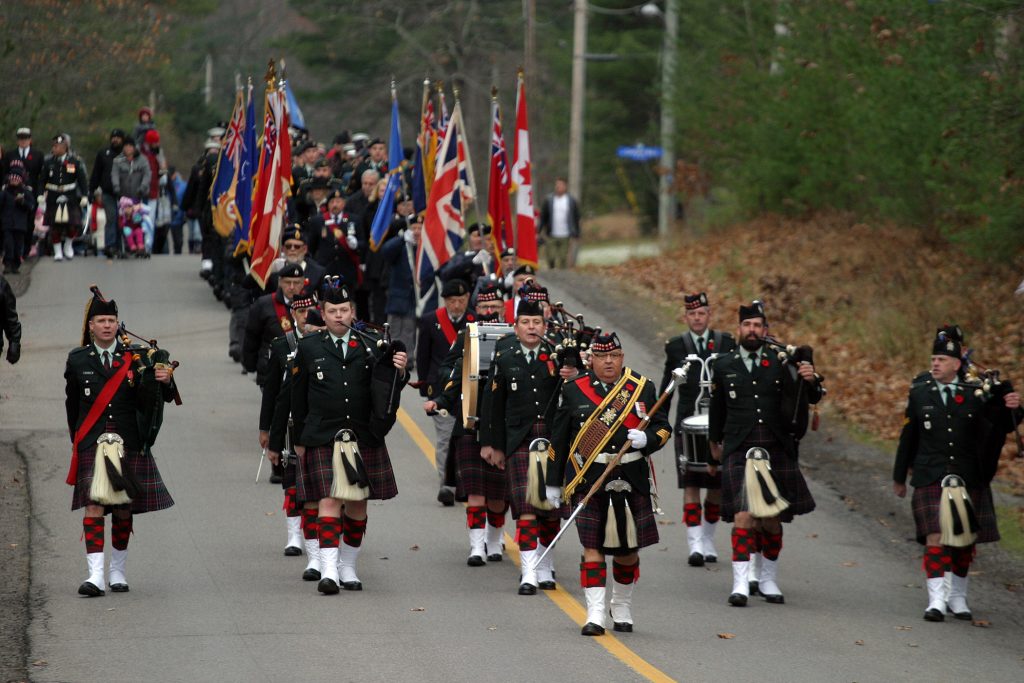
(274, 183)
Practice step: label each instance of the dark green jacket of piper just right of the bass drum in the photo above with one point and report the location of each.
(519, 395)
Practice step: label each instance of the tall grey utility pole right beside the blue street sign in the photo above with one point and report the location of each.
(666, 196)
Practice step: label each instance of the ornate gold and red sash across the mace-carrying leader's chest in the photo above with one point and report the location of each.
(612, 413)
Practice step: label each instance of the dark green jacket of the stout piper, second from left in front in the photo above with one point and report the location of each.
(331, 392)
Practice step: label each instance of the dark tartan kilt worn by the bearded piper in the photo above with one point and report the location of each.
(785, 471)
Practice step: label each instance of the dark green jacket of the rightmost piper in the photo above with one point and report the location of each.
(940, 440)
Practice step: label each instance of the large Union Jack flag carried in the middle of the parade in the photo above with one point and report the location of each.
(444, 224)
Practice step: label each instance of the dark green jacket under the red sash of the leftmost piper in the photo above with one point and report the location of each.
(84, 379)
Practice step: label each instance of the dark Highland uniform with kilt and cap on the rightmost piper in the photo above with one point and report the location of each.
(950, 430)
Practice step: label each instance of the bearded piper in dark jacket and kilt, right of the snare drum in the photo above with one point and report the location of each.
(746, 413)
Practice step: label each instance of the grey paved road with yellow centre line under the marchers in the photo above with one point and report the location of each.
(214, 600)
